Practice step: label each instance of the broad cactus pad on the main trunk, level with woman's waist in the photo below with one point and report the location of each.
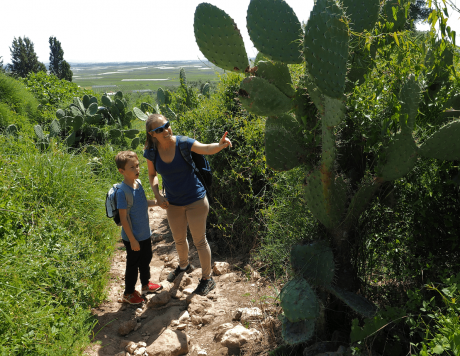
(326, 200)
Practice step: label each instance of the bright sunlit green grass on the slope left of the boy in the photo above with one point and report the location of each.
(55, 248)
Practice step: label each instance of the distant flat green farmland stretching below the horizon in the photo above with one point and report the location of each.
(129, 77)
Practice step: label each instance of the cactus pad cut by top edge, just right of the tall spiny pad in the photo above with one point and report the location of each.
(362, 13)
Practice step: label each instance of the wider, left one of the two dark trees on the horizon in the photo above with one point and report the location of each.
(24, 59)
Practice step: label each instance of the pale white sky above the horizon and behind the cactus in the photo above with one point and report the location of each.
(124, 31)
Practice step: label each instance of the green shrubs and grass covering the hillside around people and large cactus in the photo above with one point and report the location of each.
(57, 149)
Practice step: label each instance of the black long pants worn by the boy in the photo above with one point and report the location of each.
(137, 262)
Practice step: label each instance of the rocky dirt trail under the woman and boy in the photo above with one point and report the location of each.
(239, 288)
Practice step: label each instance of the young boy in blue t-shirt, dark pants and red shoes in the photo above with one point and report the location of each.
(135, 230)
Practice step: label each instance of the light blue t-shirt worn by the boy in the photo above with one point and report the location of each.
(138, 214)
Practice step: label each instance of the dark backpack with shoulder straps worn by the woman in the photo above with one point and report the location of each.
(199, 164)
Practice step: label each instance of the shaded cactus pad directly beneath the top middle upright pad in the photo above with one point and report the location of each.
(278, 75)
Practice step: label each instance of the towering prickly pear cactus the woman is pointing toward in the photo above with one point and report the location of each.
(336, 60)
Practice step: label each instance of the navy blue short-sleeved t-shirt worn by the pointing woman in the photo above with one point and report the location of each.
(181, 184)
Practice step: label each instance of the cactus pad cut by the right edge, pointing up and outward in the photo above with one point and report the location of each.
(443, 144)
